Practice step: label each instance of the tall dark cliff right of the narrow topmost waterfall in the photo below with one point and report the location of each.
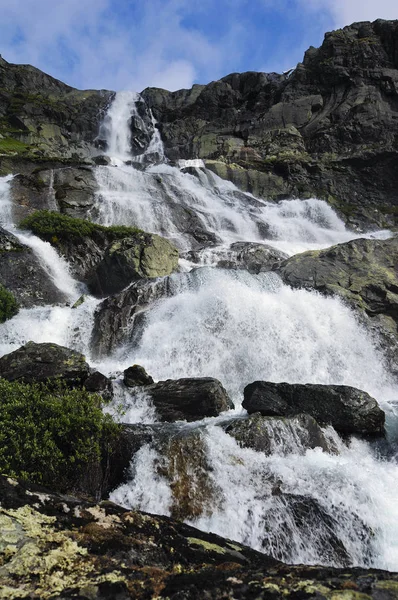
(329, 128)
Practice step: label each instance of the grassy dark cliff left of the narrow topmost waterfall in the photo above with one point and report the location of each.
(42, 118)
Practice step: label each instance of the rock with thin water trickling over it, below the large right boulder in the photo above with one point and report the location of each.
(279, 435)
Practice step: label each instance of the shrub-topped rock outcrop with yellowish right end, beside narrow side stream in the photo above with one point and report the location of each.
(107, 259)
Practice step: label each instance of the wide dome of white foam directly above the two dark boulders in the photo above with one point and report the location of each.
(239, 328)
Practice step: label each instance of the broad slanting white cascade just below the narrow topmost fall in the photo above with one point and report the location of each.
(162, 198)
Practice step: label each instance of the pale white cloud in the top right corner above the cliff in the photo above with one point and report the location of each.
(345, 12)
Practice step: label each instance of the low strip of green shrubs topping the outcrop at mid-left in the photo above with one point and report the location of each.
(53, 226)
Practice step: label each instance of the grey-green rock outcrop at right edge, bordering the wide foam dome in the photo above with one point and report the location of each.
(363, 272)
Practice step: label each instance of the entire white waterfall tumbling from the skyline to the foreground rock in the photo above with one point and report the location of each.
(237, 327)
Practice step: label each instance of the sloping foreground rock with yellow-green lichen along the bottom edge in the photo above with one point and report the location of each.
(55, 546)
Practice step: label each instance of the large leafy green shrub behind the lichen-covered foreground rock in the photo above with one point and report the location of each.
(52, 435)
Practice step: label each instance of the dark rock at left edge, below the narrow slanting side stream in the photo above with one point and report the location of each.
(22, 274)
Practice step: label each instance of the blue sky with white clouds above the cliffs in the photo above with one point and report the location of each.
(133, 44)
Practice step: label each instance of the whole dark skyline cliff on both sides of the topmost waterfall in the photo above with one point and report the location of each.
(328, 129)
